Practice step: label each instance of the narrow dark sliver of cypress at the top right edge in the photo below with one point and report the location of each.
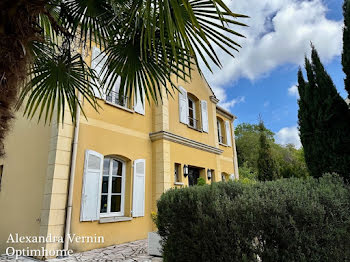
(346, 45)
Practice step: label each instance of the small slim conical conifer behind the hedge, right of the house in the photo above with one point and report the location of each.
(266, 164)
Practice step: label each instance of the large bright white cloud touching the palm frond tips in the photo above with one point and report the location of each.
(279, 33)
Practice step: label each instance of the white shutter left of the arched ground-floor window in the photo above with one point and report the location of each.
(90, 199)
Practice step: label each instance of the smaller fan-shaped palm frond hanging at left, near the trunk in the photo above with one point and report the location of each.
(56, 77)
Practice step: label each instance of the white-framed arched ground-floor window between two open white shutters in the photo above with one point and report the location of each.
(113, 187)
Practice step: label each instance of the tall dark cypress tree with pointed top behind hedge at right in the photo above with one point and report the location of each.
(323, 121)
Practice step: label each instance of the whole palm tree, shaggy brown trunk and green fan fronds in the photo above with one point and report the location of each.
(144, 42)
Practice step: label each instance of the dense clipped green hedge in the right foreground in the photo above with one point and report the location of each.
(284, 220)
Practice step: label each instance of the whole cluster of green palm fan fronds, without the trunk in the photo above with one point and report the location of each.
(145, 42)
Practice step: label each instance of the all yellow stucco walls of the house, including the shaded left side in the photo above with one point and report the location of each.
(112, 131)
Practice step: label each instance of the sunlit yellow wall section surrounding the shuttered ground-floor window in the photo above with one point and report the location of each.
(120, 133)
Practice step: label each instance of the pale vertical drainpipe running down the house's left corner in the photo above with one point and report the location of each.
(71, 176)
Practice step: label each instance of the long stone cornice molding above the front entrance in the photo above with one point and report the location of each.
(184, 141)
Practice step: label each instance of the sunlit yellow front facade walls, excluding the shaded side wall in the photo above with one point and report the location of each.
(114, 131)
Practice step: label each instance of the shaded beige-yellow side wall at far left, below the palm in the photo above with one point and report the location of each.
(23, 180)
